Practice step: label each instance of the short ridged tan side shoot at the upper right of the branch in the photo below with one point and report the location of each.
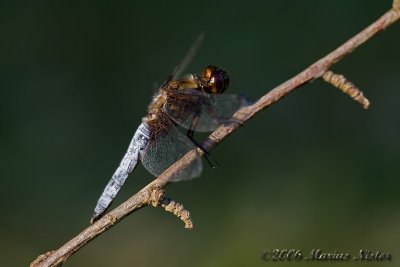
(347, 87)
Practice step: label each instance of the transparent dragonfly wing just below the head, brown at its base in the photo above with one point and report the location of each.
(202, 112)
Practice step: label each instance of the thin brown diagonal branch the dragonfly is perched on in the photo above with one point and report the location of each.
(153, 193)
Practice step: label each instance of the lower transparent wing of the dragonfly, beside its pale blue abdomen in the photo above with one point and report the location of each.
(167, 146)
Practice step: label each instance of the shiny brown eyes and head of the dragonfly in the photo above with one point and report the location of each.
(217, 80)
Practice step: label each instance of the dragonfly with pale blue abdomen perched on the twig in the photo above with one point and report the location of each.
(195, 103)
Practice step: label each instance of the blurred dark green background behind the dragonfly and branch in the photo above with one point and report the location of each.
(313, 171)
